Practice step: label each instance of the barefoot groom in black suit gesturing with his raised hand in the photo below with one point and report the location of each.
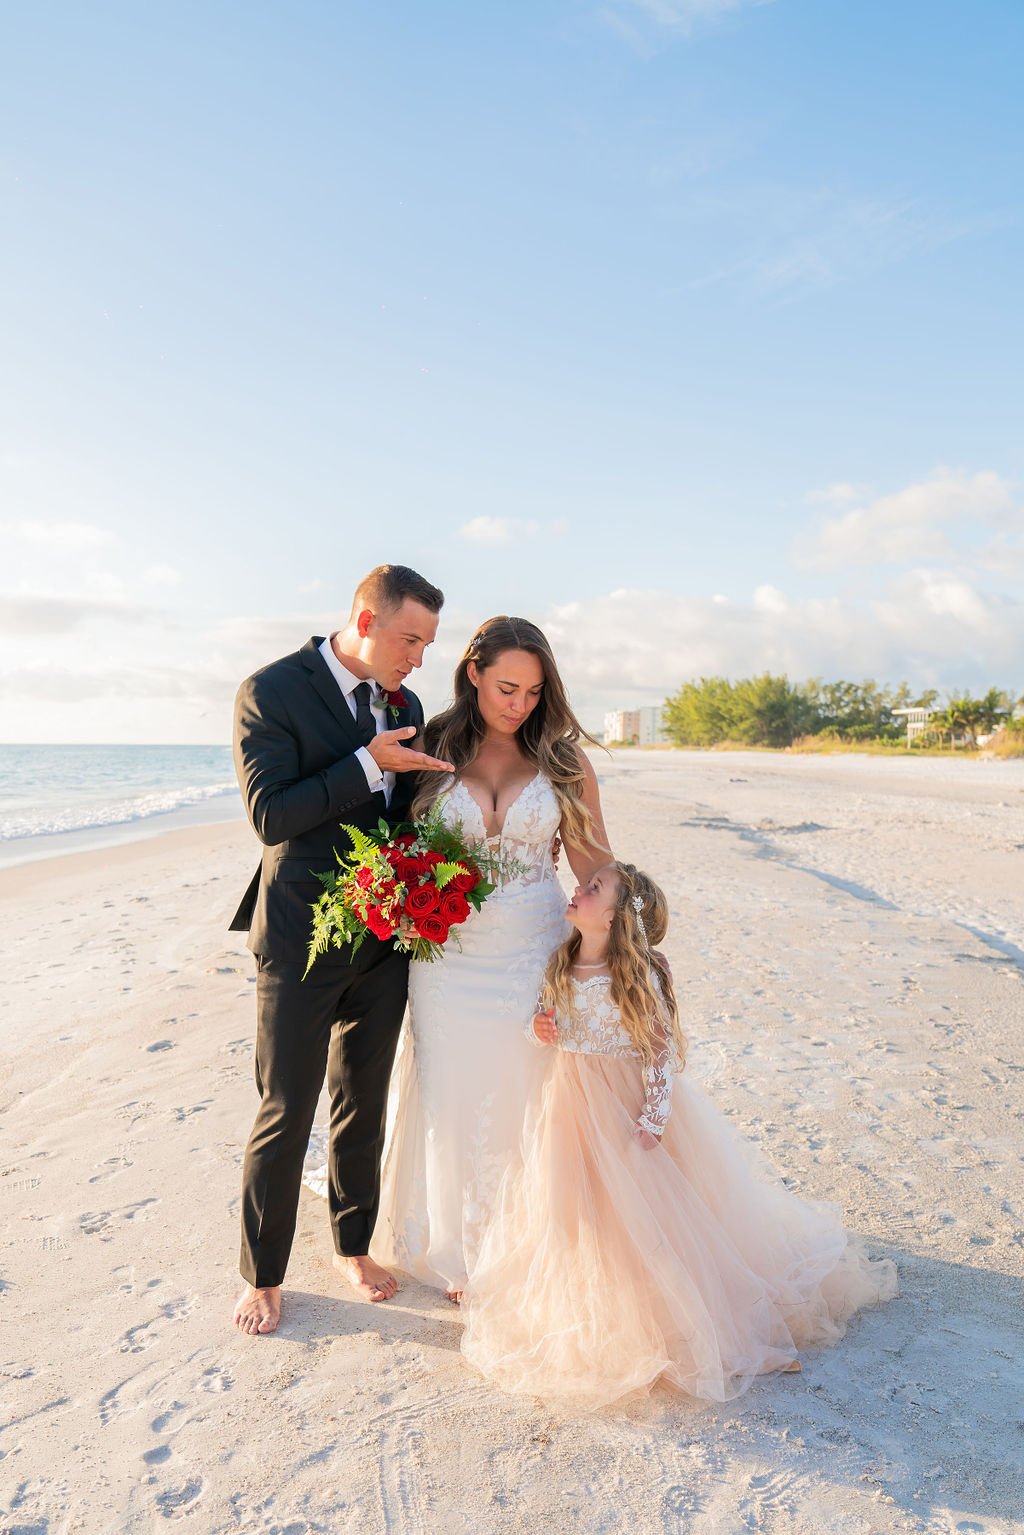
(323, 738)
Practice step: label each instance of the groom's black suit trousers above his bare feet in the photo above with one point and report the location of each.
(342, 1022)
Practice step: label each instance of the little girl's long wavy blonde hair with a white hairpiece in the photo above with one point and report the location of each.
(647, 1006)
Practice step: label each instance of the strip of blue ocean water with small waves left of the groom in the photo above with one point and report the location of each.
(59, 799)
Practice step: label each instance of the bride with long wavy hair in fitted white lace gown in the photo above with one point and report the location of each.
(466, 1066)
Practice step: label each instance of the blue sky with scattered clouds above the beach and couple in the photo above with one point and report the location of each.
(690, 329)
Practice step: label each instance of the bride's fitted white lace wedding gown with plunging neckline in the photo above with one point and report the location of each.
(466, 1069)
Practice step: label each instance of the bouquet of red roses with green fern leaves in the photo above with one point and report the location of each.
(414, 885)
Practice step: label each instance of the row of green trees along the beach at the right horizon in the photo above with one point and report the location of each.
(773, 711)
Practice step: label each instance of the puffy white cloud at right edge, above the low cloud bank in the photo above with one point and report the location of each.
(950, 517)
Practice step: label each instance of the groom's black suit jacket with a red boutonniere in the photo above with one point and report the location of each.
(296, 744)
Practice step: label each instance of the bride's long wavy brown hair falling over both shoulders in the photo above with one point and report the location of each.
(547, 736)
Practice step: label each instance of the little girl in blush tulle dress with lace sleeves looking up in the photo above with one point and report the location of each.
(639, 1238)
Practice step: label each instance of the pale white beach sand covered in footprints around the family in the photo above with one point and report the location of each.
(850, 945)
